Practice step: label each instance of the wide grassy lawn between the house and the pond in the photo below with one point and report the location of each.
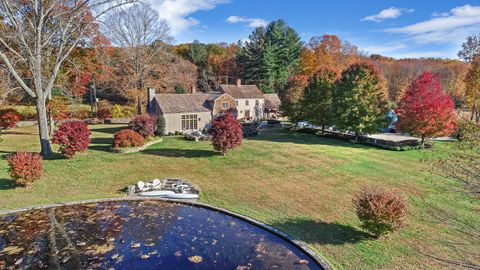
(300, 183)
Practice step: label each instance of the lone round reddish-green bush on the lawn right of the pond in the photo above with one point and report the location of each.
(380, 211)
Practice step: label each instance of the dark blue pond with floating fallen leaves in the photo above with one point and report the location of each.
(140, 235)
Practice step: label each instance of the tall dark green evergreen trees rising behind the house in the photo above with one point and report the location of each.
(271, 56)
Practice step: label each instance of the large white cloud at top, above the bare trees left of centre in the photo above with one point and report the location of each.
(178, 12)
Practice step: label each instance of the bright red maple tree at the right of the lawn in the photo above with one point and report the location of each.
(426, 110)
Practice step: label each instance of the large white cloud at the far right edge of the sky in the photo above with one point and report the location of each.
(452, 28)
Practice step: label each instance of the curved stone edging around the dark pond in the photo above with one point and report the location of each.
(290, 239)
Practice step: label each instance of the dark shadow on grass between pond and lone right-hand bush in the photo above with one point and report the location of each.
(322, 233)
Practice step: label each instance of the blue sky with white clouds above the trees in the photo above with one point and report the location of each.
(393, 28)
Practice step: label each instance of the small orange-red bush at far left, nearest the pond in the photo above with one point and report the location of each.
(25, 167)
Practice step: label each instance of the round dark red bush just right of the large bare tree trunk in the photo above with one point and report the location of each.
(72, 136)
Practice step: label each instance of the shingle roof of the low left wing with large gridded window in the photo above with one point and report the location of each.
(184, 103)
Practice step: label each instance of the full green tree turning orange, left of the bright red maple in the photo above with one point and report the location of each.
(359, 100)
